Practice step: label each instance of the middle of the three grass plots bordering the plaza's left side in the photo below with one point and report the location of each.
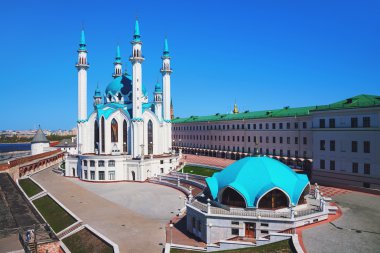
(55, 215)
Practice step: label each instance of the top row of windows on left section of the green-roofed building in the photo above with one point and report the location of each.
(267, 126)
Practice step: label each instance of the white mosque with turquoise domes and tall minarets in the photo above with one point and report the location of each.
(126, 137)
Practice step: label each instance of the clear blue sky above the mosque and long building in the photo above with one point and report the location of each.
(263, 54)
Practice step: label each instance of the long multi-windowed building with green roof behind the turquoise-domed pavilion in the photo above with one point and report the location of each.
(336, 143)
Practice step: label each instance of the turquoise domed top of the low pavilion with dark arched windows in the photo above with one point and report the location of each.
(258, 182)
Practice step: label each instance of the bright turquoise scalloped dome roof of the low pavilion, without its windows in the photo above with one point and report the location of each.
(253, 177)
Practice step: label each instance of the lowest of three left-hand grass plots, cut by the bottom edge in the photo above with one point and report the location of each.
(85, 241)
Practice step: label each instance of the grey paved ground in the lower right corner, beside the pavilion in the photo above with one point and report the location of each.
(358, 230)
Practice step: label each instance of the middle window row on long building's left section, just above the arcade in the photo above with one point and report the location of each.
(274, 139)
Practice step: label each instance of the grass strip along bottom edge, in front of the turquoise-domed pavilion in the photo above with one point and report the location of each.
(277, 247)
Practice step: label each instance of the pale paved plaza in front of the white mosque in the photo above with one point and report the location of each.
(132, 231)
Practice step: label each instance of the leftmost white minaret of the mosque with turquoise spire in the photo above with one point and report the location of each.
(82, 67)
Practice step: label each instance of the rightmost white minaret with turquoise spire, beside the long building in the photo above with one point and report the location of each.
(166, 71)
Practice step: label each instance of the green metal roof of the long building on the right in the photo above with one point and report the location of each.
(360, 101)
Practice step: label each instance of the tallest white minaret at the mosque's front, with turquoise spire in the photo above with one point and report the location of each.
(136, 60)
